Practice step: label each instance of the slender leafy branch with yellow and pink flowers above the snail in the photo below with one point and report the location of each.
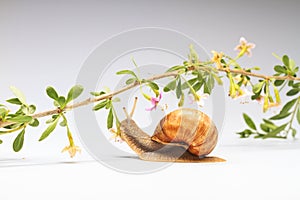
(193, 78)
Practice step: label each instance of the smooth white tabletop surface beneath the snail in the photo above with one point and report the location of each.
(262, 170)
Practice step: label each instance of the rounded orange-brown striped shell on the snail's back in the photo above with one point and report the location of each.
(190, 128)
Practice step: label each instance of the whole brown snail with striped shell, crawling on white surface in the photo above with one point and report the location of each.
(184, 135)
